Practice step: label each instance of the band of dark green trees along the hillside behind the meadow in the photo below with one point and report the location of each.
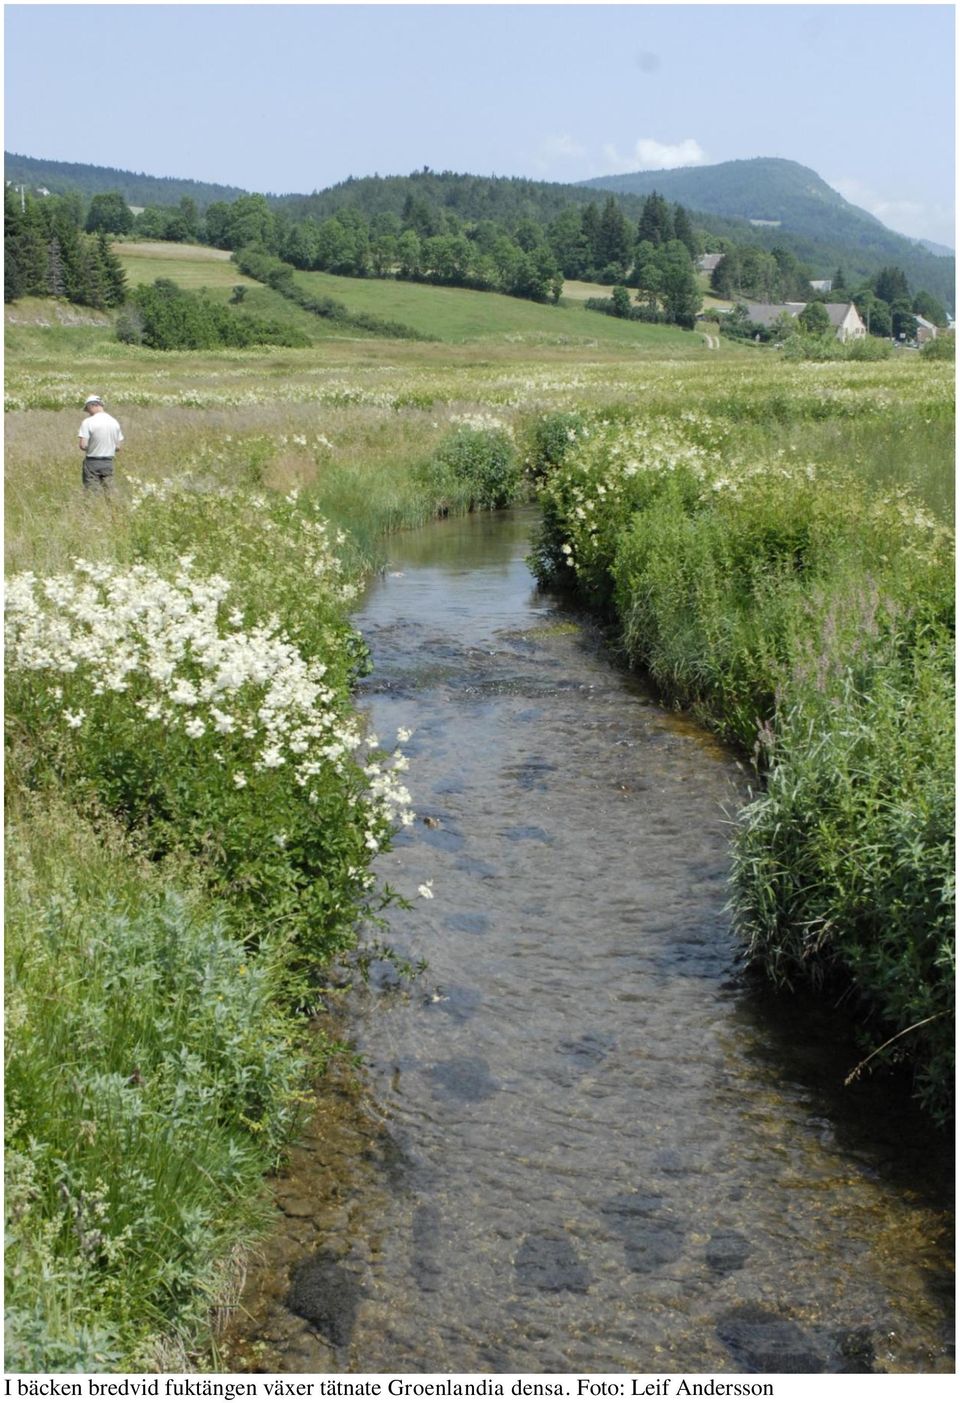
(58, 246)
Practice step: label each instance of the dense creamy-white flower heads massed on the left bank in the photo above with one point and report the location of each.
(175, 653)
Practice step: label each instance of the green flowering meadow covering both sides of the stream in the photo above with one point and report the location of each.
(193, 805)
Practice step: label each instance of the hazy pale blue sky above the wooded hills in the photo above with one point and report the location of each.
(298, 98)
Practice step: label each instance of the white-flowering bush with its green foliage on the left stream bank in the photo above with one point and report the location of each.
(207, 733)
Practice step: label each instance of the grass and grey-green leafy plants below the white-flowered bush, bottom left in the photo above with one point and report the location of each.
(152, 1078)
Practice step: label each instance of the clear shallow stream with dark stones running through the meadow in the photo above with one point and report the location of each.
(579, 1143)
